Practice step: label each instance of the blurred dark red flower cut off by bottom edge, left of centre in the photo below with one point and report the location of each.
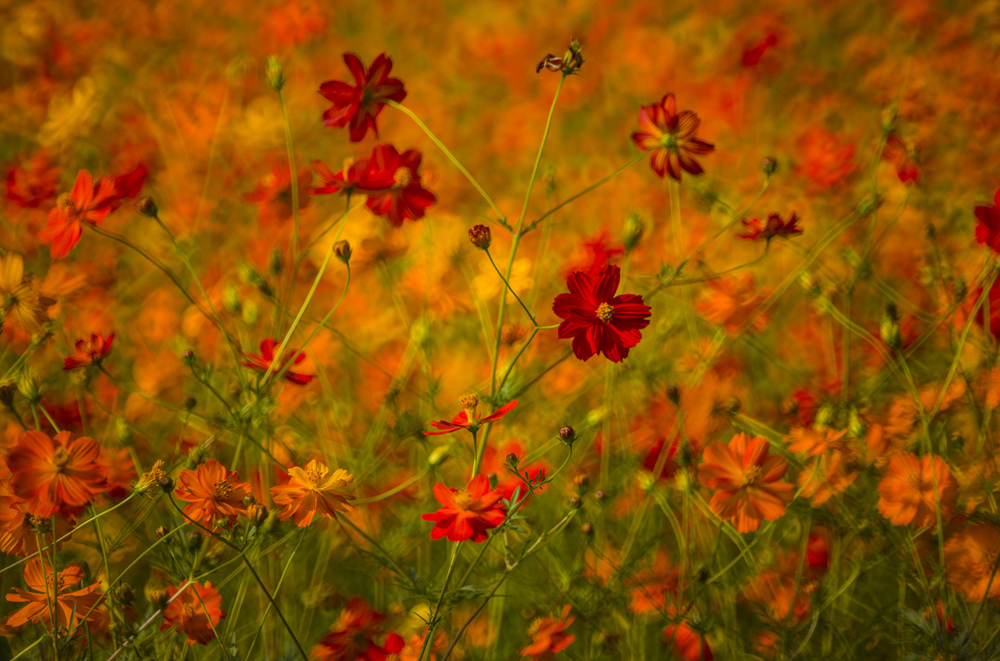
(352, 636)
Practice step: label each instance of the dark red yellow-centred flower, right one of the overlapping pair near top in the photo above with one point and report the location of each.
(393, 185)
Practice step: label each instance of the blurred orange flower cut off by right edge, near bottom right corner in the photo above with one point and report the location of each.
(970, 559)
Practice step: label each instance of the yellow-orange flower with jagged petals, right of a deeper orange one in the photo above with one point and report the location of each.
(310, 492)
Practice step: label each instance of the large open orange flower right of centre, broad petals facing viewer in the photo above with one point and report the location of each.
(746, 481)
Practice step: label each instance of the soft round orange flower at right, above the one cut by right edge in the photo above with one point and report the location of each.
(908, 494)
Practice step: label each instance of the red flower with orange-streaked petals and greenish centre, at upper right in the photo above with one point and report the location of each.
(671, 137)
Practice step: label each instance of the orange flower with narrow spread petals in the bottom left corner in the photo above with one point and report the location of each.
(48, 592)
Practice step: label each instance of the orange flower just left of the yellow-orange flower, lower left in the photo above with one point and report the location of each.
(214, 493)
